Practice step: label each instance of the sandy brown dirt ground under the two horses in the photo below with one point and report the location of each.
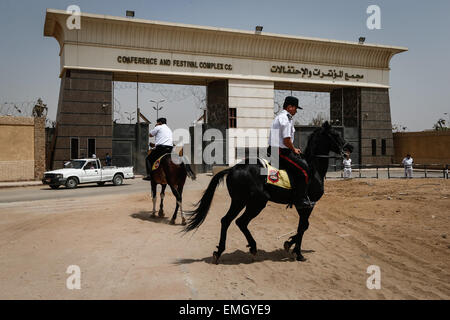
(401, 226)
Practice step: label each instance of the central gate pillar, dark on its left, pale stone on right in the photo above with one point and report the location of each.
(252, 104)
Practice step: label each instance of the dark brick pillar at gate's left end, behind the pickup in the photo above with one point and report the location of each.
(84, 111)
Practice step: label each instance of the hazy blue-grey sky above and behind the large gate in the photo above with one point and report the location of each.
(419, 78)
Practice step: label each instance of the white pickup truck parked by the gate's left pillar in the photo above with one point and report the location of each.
(86, 171)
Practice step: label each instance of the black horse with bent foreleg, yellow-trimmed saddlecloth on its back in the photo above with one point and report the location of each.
(248, 188)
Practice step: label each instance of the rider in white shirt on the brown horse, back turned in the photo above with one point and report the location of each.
(163, 144)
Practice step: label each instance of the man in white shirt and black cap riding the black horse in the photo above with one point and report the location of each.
(282, 137)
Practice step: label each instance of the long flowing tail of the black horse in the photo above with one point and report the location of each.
(202, 207)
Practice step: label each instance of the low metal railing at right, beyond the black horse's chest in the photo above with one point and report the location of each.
(392, 171)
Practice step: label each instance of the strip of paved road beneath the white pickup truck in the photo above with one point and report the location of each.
(42, 192)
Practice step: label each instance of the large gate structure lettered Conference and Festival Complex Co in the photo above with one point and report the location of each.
(241, 70)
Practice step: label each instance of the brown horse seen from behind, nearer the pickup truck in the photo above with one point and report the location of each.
(172, 171)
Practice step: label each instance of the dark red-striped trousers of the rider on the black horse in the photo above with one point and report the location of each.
(296, 168)
